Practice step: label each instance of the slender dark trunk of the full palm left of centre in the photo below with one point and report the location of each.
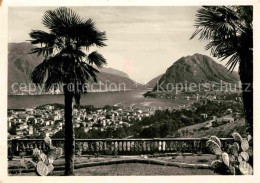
(69, 132)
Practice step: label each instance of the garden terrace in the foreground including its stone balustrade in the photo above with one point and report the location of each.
(175, 154)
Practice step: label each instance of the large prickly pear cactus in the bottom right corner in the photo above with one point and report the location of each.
(236, 161)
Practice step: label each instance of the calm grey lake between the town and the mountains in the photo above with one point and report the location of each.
(124, 98)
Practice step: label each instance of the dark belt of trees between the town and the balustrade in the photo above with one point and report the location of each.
(162, 123)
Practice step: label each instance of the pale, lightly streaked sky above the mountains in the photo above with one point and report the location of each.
(142, 41)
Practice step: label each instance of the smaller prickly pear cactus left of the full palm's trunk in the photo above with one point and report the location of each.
(43, 162)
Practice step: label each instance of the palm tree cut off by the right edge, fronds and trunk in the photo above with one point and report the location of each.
(229, 31)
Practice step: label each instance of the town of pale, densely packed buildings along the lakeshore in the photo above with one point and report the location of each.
(47, 120)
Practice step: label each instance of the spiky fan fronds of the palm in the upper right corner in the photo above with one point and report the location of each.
(229, 30)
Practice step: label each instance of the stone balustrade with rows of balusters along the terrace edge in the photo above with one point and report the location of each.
(119, 146)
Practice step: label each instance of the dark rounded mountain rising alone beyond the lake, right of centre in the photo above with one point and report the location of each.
(197, 69)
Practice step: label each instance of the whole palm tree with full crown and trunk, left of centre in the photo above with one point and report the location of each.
(67, 62)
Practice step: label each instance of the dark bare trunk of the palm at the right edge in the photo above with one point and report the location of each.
(246, 77)
